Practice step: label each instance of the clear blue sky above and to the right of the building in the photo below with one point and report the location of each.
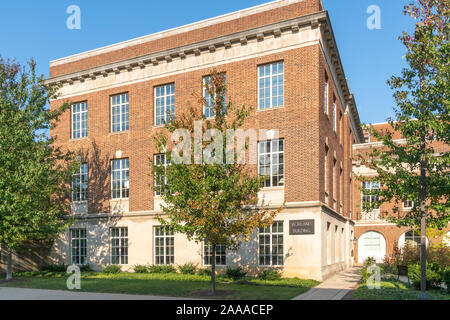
(37, 29)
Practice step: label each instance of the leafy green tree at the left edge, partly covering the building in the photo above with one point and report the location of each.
(33, 174)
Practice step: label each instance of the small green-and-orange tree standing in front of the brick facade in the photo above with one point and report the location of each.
(206, 198)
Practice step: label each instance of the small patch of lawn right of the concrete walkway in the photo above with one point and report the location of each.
(395, 290)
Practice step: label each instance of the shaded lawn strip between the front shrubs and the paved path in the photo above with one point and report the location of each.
(170, 284)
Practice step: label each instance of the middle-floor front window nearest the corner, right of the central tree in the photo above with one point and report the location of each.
(271, 162)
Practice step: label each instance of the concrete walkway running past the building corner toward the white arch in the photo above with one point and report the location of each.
(334, 288)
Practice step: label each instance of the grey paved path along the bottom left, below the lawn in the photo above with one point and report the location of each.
(39, 294)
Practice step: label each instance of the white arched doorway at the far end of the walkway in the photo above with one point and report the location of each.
(371, 244)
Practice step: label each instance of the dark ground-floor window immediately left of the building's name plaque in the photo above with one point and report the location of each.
(271, 245)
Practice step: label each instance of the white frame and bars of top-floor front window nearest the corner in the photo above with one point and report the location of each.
(271, 85)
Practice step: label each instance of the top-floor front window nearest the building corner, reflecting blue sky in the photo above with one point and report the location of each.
(271, 85)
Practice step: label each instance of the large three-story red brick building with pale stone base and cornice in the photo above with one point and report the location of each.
(281, 58)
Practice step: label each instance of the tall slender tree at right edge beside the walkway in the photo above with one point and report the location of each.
(417, 169)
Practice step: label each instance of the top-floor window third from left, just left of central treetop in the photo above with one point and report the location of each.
(164, 104)
